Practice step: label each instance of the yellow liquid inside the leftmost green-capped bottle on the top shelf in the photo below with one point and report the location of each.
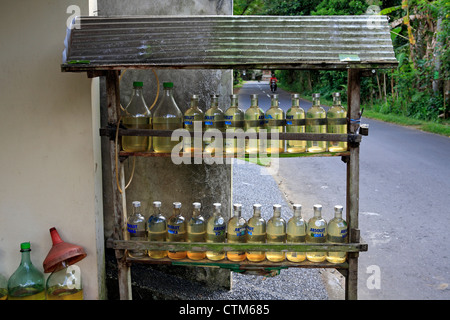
(136, 143)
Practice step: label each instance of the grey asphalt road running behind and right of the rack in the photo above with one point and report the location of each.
(404, 203)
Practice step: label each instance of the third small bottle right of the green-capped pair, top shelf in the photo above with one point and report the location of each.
(234, 119)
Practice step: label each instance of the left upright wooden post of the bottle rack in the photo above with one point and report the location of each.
(118, 198)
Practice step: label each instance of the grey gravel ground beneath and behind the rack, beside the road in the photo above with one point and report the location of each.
(251, 184)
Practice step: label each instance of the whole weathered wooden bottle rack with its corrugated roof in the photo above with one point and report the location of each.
(212, 33)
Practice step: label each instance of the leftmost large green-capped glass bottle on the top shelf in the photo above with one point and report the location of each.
(136, 115)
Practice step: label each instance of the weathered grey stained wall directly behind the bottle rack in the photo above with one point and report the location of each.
(158, 178)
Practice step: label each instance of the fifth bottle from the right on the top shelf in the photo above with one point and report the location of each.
(254, 121)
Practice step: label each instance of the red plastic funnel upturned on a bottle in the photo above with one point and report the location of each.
(61, 251)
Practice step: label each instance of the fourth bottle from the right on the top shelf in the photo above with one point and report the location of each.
(273, 123)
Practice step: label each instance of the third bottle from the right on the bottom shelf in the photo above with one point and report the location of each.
(296, 233)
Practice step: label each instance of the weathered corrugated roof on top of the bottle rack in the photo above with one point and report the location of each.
(219, 41)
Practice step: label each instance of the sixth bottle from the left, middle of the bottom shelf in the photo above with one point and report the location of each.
(236, 233)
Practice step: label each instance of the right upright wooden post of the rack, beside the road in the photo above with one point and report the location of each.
(353, 113)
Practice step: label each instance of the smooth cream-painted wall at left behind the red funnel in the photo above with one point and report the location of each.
(50, 165)
